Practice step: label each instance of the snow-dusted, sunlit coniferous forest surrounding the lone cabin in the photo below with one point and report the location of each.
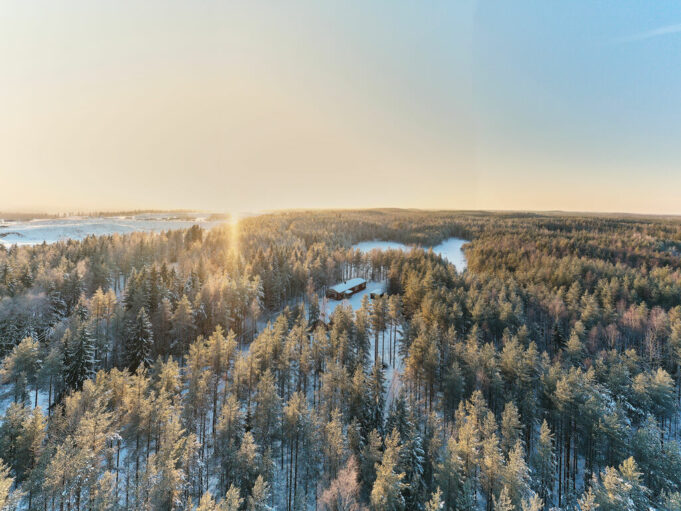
(194, 369)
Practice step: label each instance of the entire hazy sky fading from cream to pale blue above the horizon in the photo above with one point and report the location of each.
(245, 106)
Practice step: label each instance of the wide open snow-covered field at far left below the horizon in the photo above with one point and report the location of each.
(34, 232)
